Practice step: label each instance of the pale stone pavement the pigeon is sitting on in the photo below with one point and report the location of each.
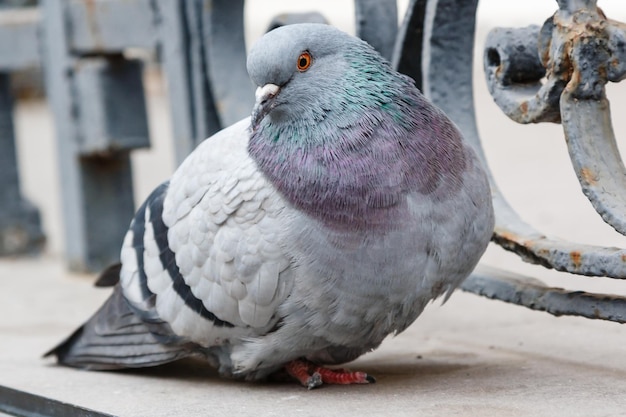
(471, 356)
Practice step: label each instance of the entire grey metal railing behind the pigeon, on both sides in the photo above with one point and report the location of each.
(553, 73)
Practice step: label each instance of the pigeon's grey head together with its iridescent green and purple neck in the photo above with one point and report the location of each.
(342, 135)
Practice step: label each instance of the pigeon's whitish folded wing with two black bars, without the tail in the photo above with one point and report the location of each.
(205, 256)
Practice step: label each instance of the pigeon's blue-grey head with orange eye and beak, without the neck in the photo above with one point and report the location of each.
(298, 69)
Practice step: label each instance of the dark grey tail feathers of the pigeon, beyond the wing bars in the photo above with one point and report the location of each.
(115, 338)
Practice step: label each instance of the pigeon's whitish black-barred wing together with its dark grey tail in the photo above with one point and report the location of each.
(202, 265)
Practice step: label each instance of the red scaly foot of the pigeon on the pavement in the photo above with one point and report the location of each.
(312, 376)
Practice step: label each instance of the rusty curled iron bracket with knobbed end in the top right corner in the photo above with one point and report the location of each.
(578, 50)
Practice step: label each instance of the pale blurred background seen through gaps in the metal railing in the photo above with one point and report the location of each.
(529, 162)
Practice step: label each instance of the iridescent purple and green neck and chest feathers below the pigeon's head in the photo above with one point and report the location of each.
(358, 176)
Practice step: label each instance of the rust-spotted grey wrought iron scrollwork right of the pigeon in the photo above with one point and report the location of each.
(575, 53)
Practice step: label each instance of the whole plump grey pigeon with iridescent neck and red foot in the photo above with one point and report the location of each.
(302, 236)
